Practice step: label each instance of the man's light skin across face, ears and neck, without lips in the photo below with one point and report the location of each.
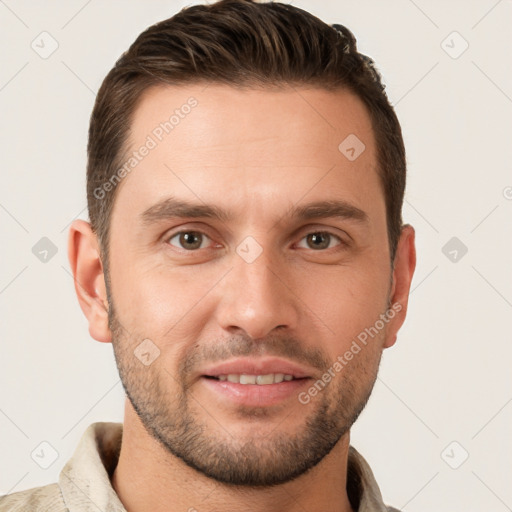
(256, 153)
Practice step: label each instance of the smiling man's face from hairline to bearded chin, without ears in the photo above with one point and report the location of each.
(277, 287)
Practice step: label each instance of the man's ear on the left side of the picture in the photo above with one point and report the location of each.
(85, 260)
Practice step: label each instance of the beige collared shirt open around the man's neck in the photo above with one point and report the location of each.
(84, 482)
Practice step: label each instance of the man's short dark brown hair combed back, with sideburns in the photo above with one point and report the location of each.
(238, 43)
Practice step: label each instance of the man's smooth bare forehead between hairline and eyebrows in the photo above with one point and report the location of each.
(250, 144)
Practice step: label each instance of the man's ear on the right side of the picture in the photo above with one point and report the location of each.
(403, 270)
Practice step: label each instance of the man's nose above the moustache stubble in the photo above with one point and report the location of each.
(257, 298)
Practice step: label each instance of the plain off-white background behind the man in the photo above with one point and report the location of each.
(447, 379)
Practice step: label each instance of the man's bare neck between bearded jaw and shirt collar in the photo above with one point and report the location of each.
(148, 477)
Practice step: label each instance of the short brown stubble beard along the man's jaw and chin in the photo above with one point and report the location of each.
(190, 431)
